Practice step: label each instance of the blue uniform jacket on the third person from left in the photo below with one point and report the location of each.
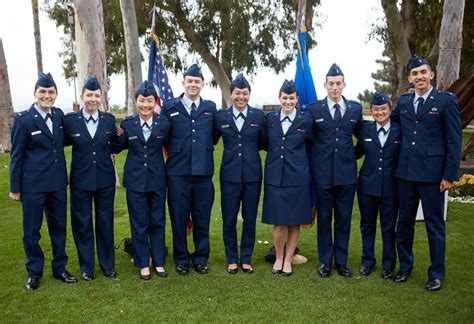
(144, 168)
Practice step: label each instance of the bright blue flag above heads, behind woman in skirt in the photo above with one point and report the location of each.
(304, 79)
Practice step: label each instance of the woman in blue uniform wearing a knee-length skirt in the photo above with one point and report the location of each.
(286, 202)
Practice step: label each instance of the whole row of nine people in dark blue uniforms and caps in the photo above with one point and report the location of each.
(412, 153)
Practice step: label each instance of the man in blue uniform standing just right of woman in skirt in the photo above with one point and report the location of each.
(334, 171)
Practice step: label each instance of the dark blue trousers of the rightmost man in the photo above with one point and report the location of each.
(432, 201)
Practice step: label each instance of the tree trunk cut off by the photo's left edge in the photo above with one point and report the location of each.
(6, 105)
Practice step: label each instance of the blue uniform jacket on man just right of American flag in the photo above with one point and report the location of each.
(190, 152)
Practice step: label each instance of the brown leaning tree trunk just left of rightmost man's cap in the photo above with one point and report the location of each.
(396, 31)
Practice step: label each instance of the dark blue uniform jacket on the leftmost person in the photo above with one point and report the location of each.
(37, 158)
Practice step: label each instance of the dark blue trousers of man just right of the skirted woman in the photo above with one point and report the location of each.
(339, 199)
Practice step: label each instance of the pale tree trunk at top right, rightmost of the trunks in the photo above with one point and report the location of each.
(450, 43)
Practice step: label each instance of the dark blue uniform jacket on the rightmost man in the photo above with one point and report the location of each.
(431, 148)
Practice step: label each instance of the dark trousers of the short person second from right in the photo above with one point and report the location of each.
(369, 207)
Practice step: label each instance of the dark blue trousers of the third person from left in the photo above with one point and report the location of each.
(147, 223)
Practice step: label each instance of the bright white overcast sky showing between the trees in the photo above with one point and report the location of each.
(342, 39)
